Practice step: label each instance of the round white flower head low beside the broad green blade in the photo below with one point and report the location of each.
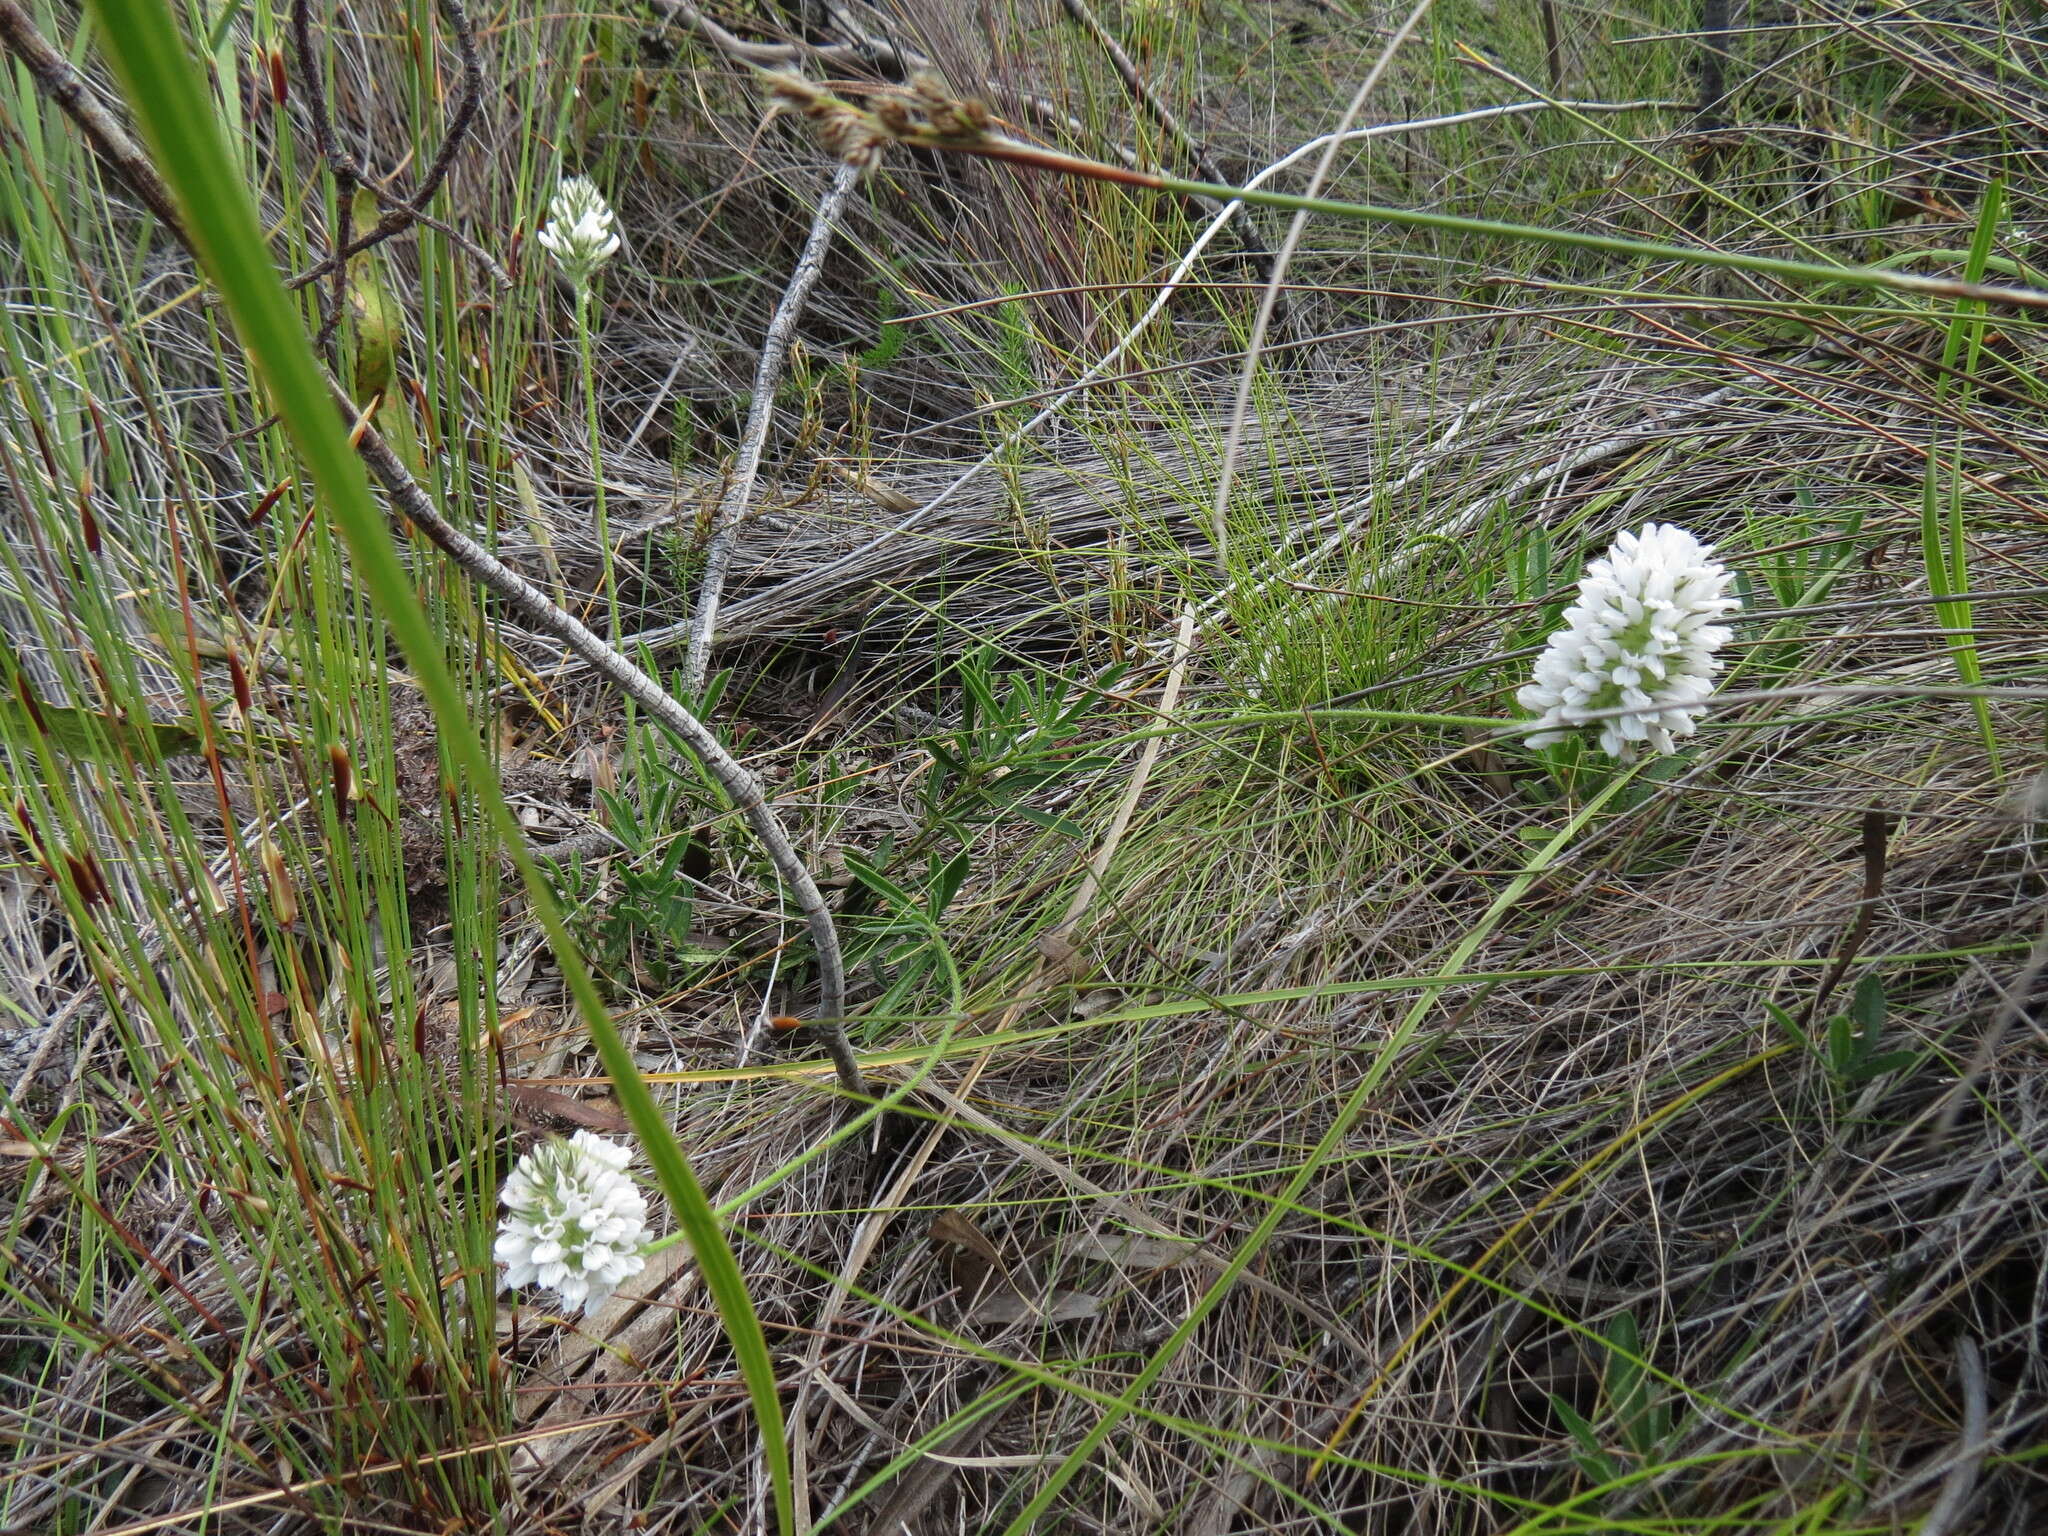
(574, 1222)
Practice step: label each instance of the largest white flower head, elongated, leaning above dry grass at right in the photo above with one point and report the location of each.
(1641, 638)
